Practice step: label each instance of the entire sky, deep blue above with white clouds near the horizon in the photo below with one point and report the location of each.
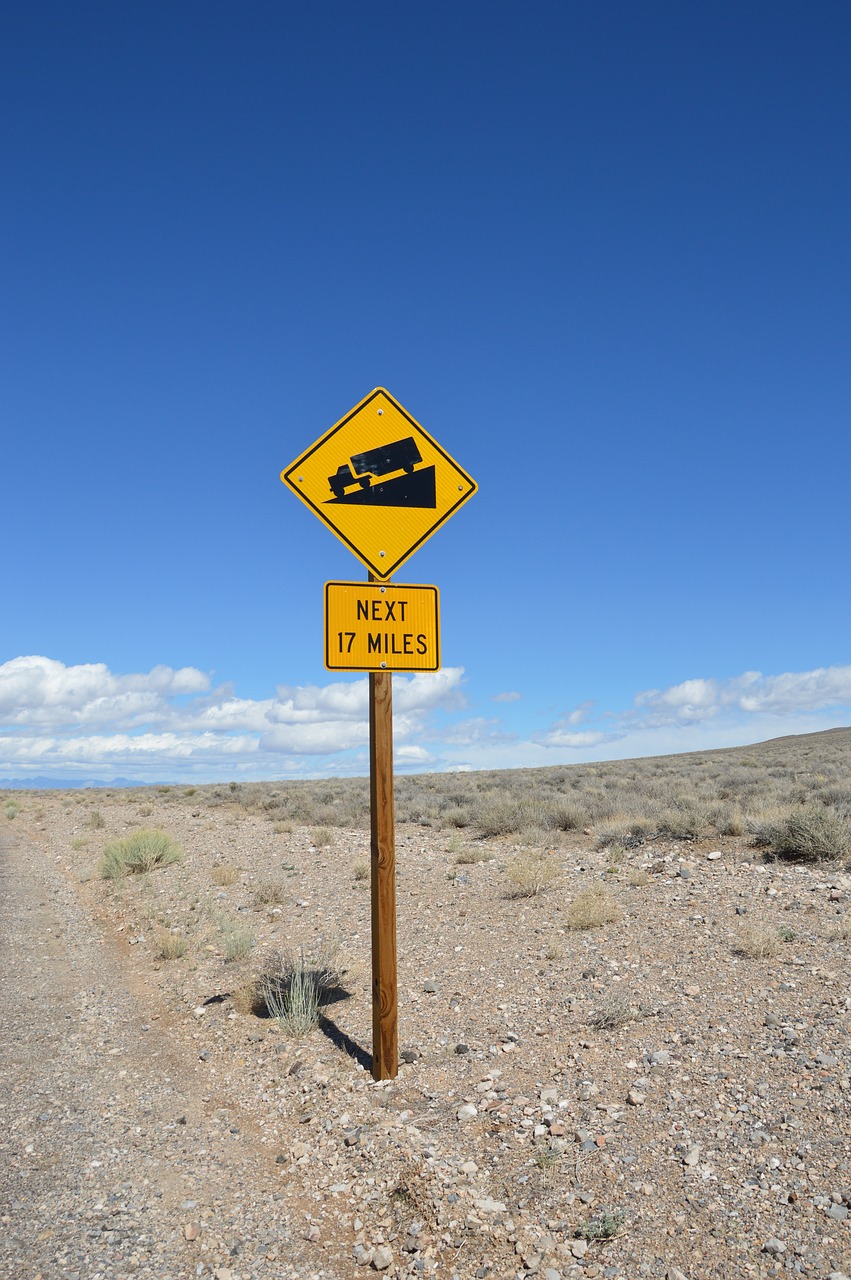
(601, 252)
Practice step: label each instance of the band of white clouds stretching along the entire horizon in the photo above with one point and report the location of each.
(72, 723)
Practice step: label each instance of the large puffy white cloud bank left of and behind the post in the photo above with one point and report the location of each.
(89, 721)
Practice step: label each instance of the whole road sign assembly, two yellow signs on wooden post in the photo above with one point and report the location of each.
(383, 486)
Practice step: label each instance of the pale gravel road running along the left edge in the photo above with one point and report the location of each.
(113, 1162)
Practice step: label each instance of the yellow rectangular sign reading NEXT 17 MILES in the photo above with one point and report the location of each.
(382, 627)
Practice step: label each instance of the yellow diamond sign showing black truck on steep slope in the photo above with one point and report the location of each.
(381, 483)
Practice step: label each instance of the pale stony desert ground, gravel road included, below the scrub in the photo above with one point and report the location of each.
(644, 1099)
